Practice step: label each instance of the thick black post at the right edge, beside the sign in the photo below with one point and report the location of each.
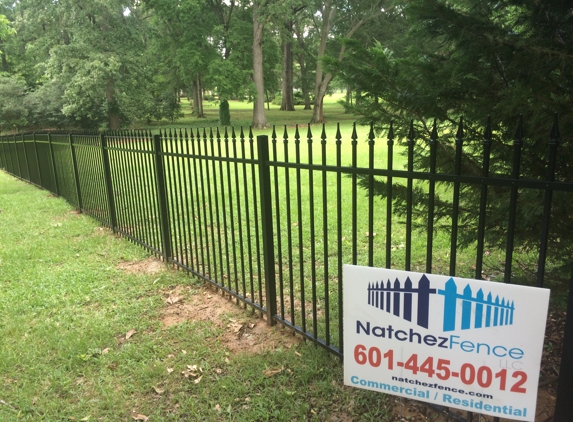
(564, 404)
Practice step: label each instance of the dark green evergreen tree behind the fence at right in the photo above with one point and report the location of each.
(475, 59)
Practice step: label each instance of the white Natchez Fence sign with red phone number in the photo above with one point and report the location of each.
(461, 343)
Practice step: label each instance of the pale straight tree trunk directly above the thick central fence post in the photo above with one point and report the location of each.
(259, 115)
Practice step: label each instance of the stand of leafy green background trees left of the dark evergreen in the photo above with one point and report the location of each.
(111, 63)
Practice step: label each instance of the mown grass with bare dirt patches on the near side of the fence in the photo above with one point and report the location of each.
(66, 306)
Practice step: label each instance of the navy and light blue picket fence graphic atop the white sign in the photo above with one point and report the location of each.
(481, 311)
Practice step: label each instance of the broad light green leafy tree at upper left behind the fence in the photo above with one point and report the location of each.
(94, 50)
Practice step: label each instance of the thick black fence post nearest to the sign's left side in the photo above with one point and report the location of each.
(267, 227)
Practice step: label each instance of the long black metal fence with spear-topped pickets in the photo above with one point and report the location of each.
(271, 222)
